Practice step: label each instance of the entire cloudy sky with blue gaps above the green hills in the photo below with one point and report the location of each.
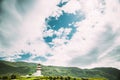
(75, 33)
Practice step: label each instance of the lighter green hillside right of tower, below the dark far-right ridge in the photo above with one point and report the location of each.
(76, 72)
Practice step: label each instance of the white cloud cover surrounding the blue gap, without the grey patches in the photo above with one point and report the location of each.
(28, 29)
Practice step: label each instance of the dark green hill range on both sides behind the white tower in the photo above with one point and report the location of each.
(24, 68)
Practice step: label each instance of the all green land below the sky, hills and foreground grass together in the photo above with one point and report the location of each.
(56, 72)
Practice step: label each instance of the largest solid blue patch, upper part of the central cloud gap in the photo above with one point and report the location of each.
(55, 23)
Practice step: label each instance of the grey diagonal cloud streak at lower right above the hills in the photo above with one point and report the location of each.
(105, 41)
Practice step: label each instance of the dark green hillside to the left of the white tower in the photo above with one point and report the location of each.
(16, 67)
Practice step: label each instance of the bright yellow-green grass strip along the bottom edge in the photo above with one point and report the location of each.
(46, 78)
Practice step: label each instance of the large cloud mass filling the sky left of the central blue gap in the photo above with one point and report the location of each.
(22, 22)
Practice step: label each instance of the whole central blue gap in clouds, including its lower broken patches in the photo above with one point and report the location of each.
(65, 21)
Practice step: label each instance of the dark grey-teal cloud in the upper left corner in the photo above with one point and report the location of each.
(11, 12)
